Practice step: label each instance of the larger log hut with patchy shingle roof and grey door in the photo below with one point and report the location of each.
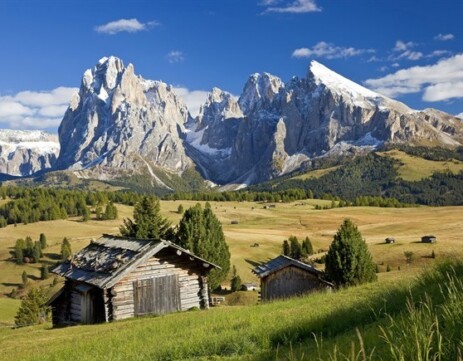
(114, 278)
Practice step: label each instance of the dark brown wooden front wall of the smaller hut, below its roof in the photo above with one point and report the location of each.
(287, 282)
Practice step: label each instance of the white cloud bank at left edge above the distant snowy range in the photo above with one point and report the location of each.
(31, 109)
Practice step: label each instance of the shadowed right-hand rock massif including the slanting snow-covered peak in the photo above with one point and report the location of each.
(284, 125)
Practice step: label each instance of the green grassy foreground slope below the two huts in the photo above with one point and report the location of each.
(276, 331)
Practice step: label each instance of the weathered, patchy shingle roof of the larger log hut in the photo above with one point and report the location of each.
(106, 260)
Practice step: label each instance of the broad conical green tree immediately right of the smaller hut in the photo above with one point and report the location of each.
(348, 261)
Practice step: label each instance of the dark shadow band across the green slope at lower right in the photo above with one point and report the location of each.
(387, 303)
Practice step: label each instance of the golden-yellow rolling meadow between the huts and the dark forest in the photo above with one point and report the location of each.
(268, 228)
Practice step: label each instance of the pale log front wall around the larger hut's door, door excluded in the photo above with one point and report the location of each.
(189, 281)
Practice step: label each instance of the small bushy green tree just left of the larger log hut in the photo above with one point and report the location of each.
(33, 309)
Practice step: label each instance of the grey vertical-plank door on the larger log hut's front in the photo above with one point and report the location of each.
(157, 295)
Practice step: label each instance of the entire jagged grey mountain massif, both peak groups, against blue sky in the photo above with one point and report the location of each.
(120, 124)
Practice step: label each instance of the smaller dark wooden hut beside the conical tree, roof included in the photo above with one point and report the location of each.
(283, 277)
